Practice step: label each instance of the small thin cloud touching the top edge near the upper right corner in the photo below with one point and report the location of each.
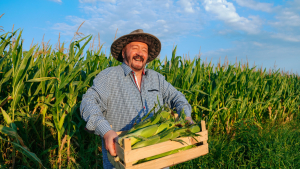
(266, 7)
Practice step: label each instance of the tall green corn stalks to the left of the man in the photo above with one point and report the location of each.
(40, 92)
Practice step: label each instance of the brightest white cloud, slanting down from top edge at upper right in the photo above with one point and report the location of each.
(226, 12)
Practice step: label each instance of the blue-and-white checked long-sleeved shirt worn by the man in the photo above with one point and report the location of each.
(114, 99)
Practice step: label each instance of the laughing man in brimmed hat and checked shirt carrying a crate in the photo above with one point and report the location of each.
(122, 93)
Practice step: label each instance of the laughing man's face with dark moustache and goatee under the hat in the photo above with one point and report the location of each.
(135, 55)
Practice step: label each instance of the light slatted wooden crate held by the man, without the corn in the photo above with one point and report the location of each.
(126, 156)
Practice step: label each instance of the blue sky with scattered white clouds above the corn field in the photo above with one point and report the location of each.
(265, 32)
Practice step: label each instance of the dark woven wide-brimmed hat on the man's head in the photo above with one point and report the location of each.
(154, 45)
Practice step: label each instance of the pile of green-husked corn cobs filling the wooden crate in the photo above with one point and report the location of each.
(148, 132)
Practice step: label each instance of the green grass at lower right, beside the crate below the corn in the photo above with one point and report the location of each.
(270, 145)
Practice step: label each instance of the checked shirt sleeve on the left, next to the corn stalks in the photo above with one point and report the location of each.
(93, 105)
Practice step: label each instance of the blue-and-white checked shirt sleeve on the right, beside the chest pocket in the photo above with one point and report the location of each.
(174, 98)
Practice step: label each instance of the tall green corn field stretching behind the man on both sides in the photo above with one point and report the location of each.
(41, 91)
